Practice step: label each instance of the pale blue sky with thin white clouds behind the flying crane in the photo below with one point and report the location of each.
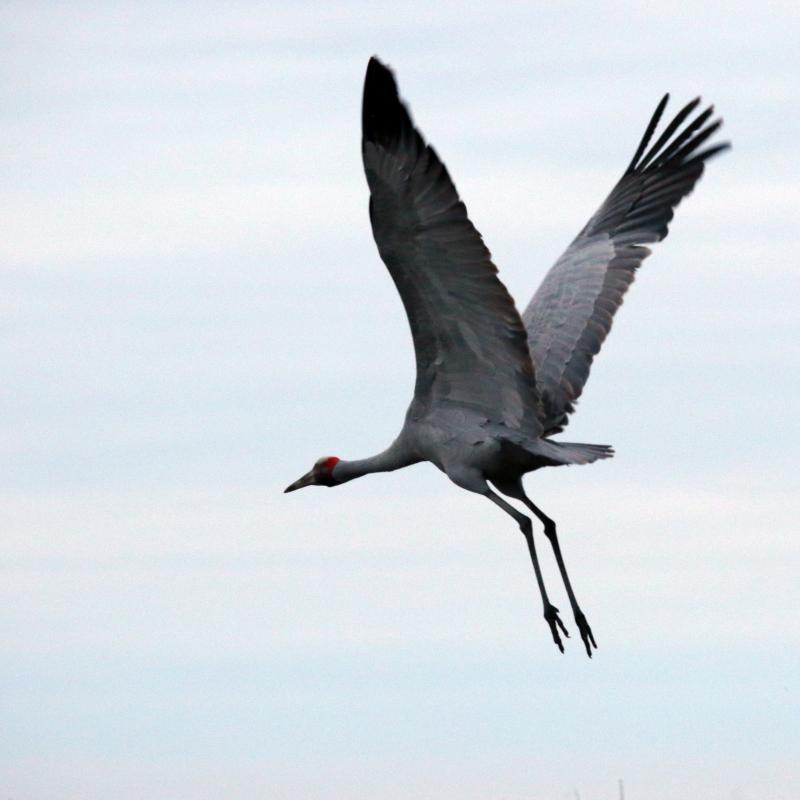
(194, 310)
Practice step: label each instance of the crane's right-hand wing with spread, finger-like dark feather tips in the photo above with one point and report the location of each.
(571, 312)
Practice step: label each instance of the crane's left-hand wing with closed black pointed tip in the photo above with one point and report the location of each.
(469, 340)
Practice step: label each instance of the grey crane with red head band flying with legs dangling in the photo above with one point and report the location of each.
(492, 387)
